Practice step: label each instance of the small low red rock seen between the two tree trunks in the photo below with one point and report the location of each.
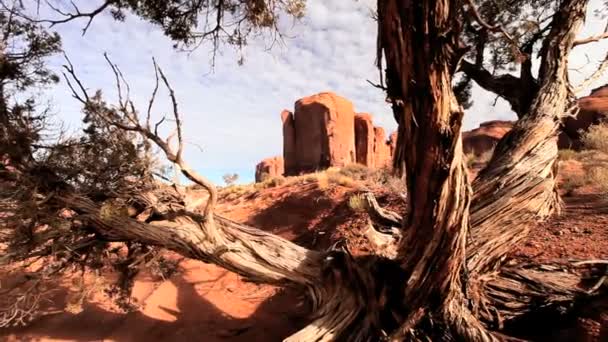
(485, 137)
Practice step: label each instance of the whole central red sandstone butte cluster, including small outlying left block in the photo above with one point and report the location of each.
(324, 131)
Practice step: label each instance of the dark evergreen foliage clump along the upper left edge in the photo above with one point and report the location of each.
(24, 47)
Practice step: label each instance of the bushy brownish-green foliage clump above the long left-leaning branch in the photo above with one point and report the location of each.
(104, 158)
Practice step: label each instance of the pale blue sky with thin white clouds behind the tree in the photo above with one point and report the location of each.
(232, 111)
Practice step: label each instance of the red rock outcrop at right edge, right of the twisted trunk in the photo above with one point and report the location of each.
(593, 109)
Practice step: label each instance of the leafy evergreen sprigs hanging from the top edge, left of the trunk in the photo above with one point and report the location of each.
(190, 23)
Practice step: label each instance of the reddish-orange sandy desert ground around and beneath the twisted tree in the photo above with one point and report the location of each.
(199, 301)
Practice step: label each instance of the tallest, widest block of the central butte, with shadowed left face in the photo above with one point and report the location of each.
(325, 132)
